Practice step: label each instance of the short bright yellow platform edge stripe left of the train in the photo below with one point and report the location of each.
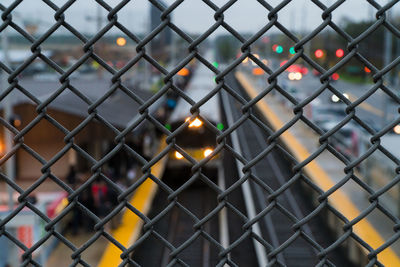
(128, 232)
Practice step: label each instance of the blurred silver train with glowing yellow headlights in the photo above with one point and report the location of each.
(197, 139)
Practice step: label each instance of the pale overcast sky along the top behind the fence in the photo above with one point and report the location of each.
(194, 16)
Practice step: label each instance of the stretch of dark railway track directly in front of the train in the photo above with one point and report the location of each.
(177, 226)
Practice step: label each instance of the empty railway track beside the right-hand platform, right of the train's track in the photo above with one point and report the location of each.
(276, 226)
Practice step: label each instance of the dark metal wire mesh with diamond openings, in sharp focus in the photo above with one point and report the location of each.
(88, 47)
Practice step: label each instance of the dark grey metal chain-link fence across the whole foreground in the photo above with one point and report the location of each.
(91, 50)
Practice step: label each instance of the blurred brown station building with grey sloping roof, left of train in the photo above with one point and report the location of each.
(67, 109)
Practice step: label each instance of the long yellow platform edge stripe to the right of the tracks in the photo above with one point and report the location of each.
(338, 200)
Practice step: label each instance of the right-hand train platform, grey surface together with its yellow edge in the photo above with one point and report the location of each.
(327, 171)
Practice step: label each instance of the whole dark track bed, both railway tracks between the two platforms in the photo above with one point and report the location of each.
(195, 202)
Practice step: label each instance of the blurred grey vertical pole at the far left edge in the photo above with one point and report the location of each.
(7, 113)
